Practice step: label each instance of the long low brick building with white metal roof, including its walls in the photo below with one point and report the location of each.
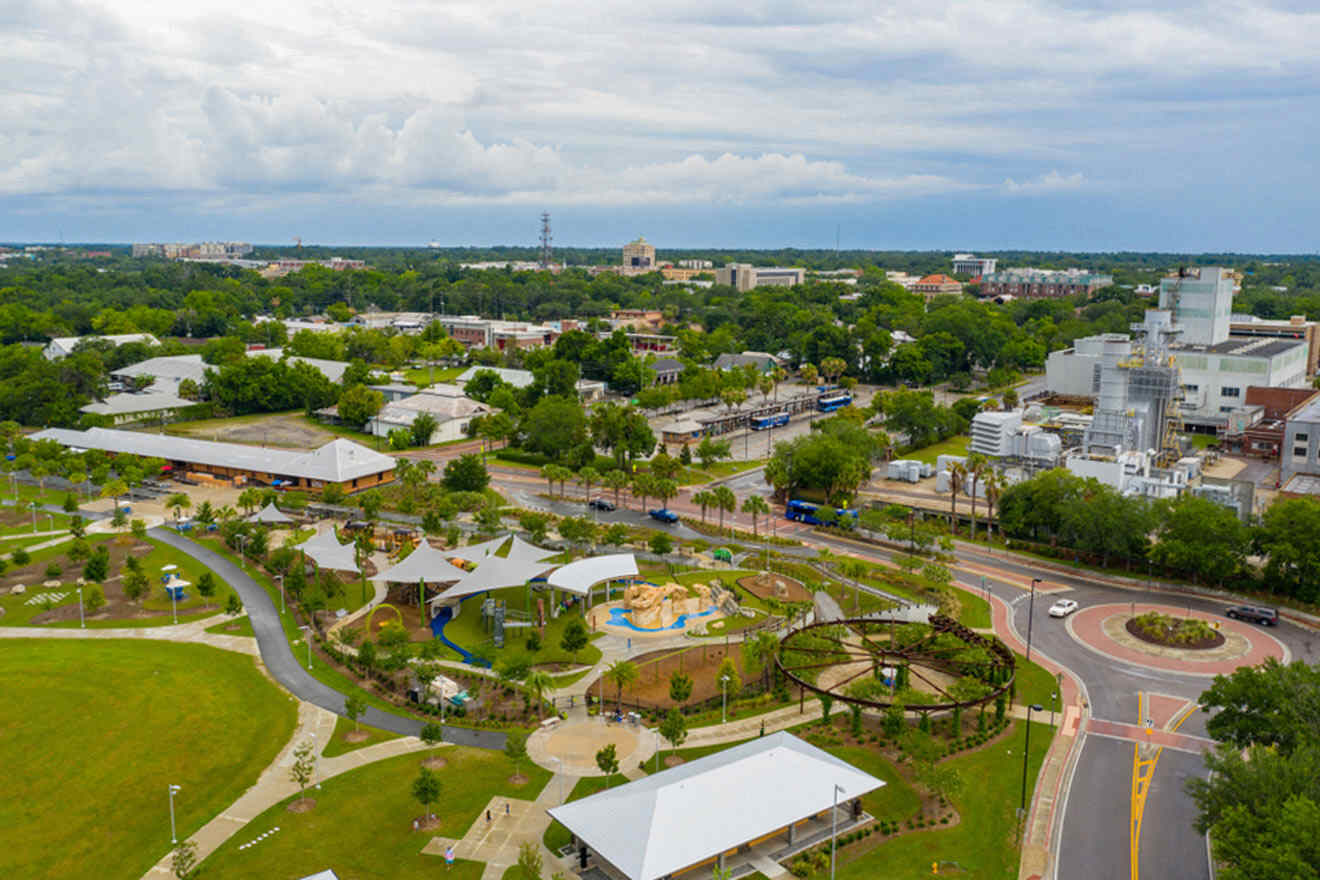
(341, 462)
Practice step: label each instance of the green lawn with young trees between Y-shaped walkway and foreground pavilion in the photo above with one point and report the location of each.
(362, 824)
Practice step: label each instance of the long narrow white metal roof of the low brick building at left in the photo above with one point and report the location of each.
(337, 462)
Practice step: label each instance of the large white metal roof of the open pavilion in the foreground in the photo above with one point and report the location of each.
(663, 824)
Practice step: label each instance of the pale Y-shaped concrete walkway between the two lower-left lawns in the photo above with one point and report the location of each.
(274, 786)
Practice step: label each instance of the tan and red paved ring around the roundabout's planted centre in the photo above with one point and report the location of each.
(1104, 630)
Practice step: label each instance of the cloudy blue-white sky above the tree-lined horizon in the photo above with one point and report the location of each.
(927, 125)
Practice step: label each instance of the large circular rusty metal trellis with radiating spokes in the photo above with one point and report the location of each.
(872, 644)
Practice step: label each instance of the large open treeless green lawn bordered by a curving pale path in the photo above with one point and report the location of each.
(88, 769)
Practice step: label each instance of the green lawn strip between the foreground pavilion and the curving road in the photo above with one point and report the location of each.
(984, 842)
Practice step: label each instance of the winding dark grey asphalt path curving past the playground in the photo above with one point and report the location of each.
(286, 668)
